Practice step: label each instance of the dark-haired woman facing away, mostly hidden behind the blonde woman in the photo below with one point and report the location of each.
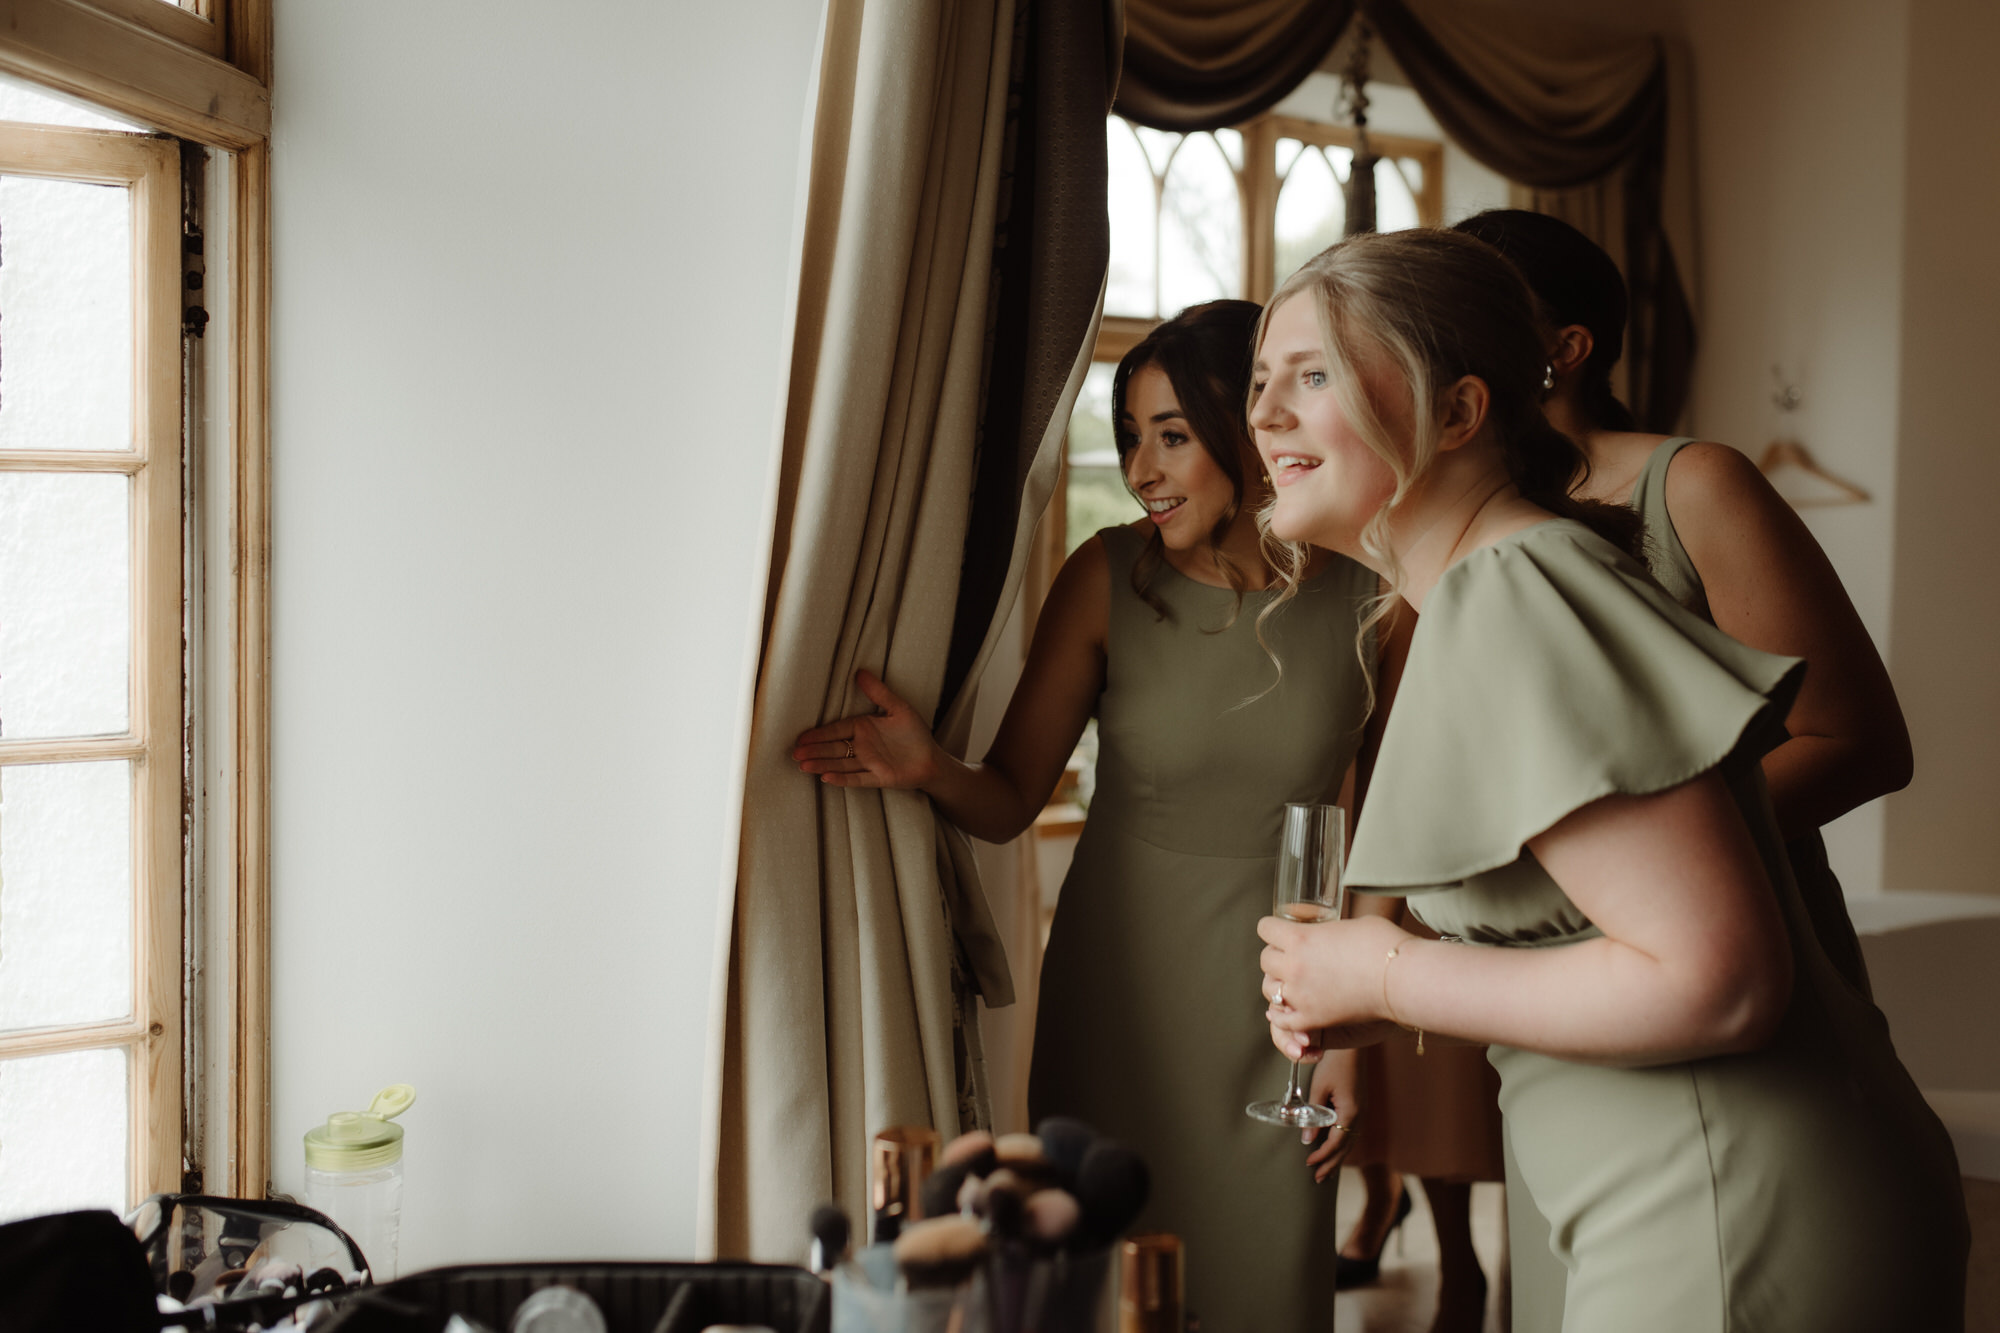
(1729, 549)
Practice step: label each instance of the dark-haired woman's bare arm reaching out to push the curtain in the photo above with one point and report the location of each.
(1001, 796)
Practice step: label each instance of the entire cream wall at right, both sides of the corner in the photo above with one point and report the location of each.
(1847, 199)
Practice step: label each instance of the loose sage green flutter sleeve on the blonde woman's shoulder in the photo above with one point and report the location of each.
(1549, 672)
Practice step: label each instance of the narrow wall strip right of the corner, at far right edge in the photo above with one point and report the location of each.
(1947, 611)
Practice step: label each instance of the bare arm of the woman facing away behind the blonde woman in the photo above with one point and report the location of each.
(1773, 587)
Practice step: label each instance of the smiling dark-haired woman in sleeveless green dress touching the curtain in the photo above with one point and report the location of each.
(1159, 629)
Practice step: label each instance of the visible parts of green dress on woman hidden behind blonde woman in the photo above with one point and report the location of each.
(1537, 1278)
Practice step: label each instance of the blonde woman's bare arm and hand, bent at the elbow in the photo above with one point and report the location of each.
(1695, 960)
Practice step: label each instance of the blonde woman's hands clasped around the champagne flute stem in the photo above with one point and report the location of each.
(1329, 978)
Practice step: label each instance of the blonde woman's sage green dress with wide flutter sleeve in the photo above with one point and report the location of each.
(1797, 1190)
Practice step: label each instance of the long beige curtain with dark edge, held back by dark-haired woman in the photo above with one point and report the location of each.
(951, 147)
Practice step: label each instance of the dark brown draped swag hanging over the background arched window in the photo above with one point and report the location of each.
(1577, 121)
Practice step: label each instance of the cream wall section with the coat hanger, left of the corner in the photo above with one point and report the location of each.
(1799, 143)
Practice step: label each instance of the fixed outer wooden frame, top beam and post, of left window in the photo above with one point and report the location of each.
(217, 99)
